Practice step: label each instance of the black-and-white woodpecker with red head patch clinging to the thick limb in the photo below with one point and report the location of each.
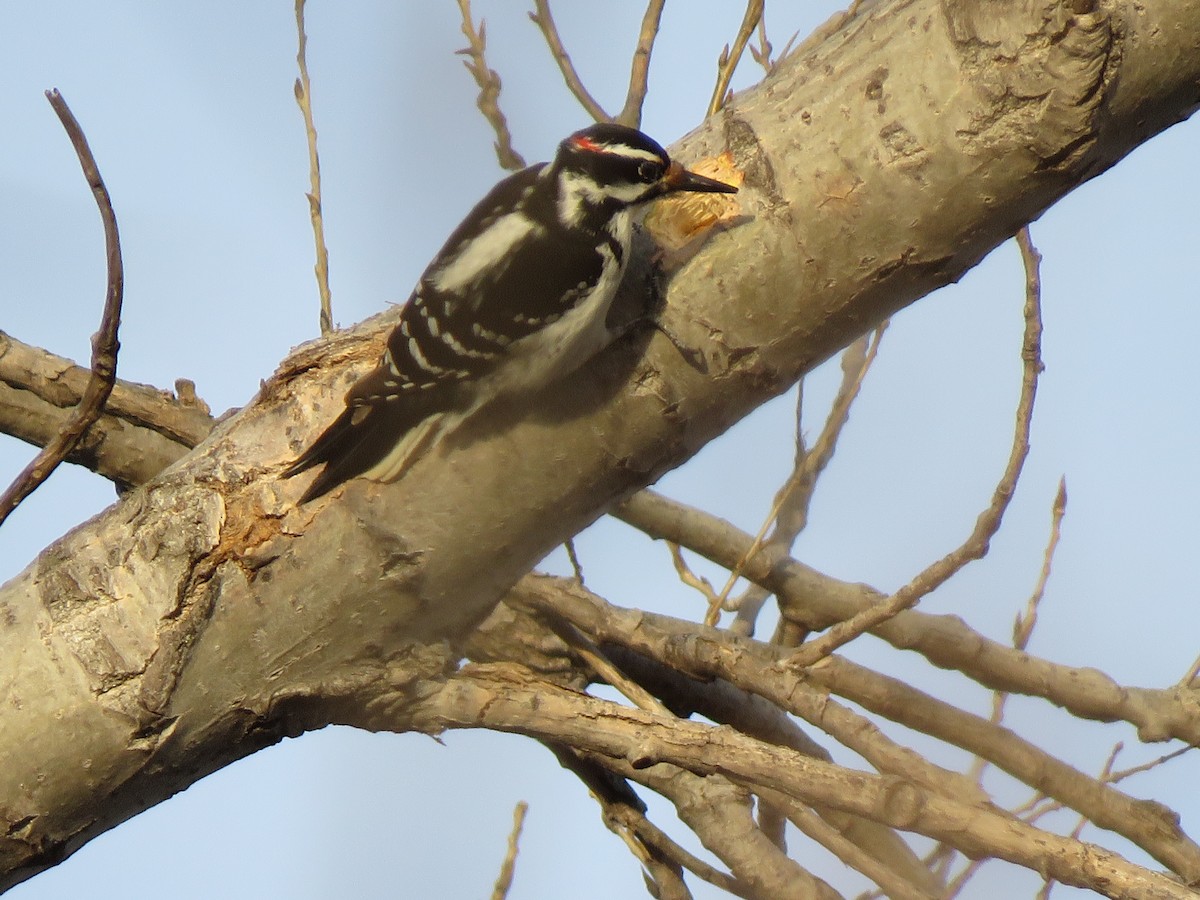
(517, 299)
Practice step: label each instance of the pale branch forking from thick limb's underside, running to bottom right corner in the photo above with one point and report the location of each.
(639, 742)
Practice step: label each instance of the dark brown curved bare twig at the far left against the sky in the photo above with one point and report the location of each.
(104, 344)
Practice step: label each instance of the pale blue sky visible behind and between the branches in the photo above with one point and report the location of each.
(190, 112)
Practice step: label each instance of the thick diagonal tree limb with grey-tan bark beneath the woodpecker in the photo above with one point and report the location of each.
(206, 616)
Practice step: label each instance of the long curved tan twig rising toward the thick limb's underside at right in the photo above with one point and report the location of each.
(976, 545)
